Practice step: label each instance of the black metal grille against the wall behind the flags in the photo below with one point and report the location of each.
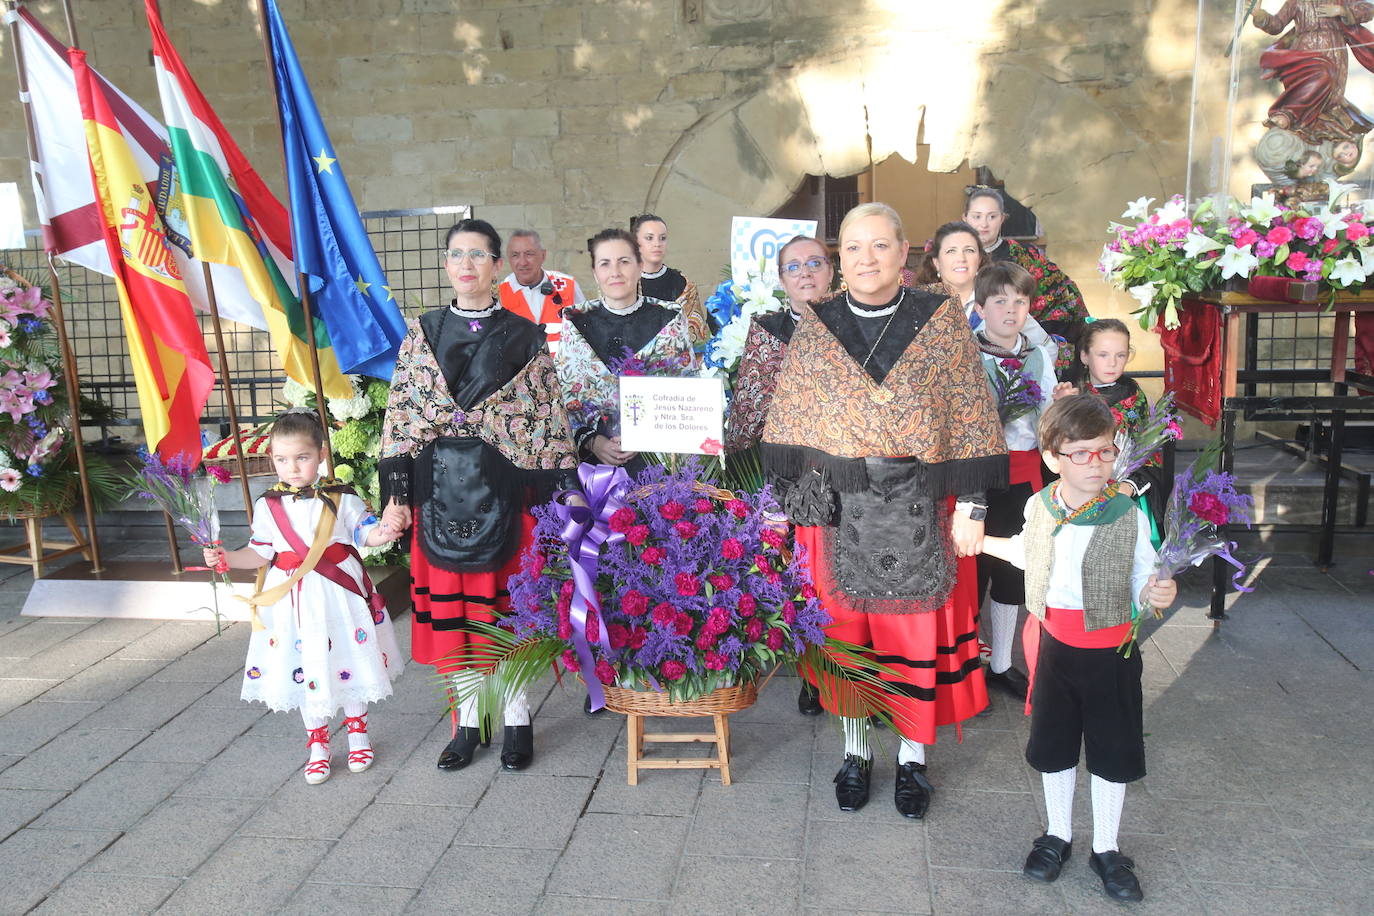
(407, 245)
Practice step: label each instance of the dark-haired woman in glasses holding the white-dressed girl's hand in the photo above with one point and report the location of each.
(475, 432)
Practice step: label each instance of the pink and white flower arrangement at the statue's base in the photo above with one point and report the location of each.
(1180, 249)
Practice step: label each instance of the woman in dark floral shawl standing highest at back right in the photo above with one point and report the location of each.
(1059, 306)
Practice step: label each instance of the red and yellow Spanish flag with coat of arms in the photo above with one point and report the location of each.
(171, 367)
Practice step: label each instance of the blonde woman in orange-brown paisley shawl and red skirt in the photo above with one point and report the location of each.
(880, 418)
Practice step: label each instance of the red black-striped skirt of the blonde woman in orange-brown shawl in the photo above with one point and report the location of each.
(935, 654)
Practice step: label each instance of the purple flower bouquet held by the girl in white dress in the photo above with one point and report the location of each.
(186, 492)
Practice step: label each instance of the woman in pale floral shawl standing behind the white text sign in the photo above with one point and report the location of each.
(598, 339)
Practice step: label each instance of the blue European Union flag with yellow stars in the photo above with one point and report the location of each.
(348, 289)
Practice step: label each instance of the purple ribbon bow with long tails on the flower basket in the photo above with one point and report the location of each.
(586, 534)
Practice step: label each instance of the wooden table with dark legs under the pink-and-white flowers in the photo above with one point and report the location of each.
(1241, 374)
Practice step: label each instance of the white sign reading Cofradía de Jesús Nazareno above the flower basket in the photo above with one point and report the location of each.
(660, 414)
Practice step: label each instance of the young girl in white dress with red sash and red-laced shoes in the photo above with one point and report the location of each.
(322, 638)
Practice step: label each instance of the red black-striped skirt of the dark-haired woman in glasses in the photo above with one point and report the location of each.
(447, 604)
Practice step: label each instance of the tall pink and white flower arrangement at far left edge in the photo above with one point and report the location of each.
(38, 454)
